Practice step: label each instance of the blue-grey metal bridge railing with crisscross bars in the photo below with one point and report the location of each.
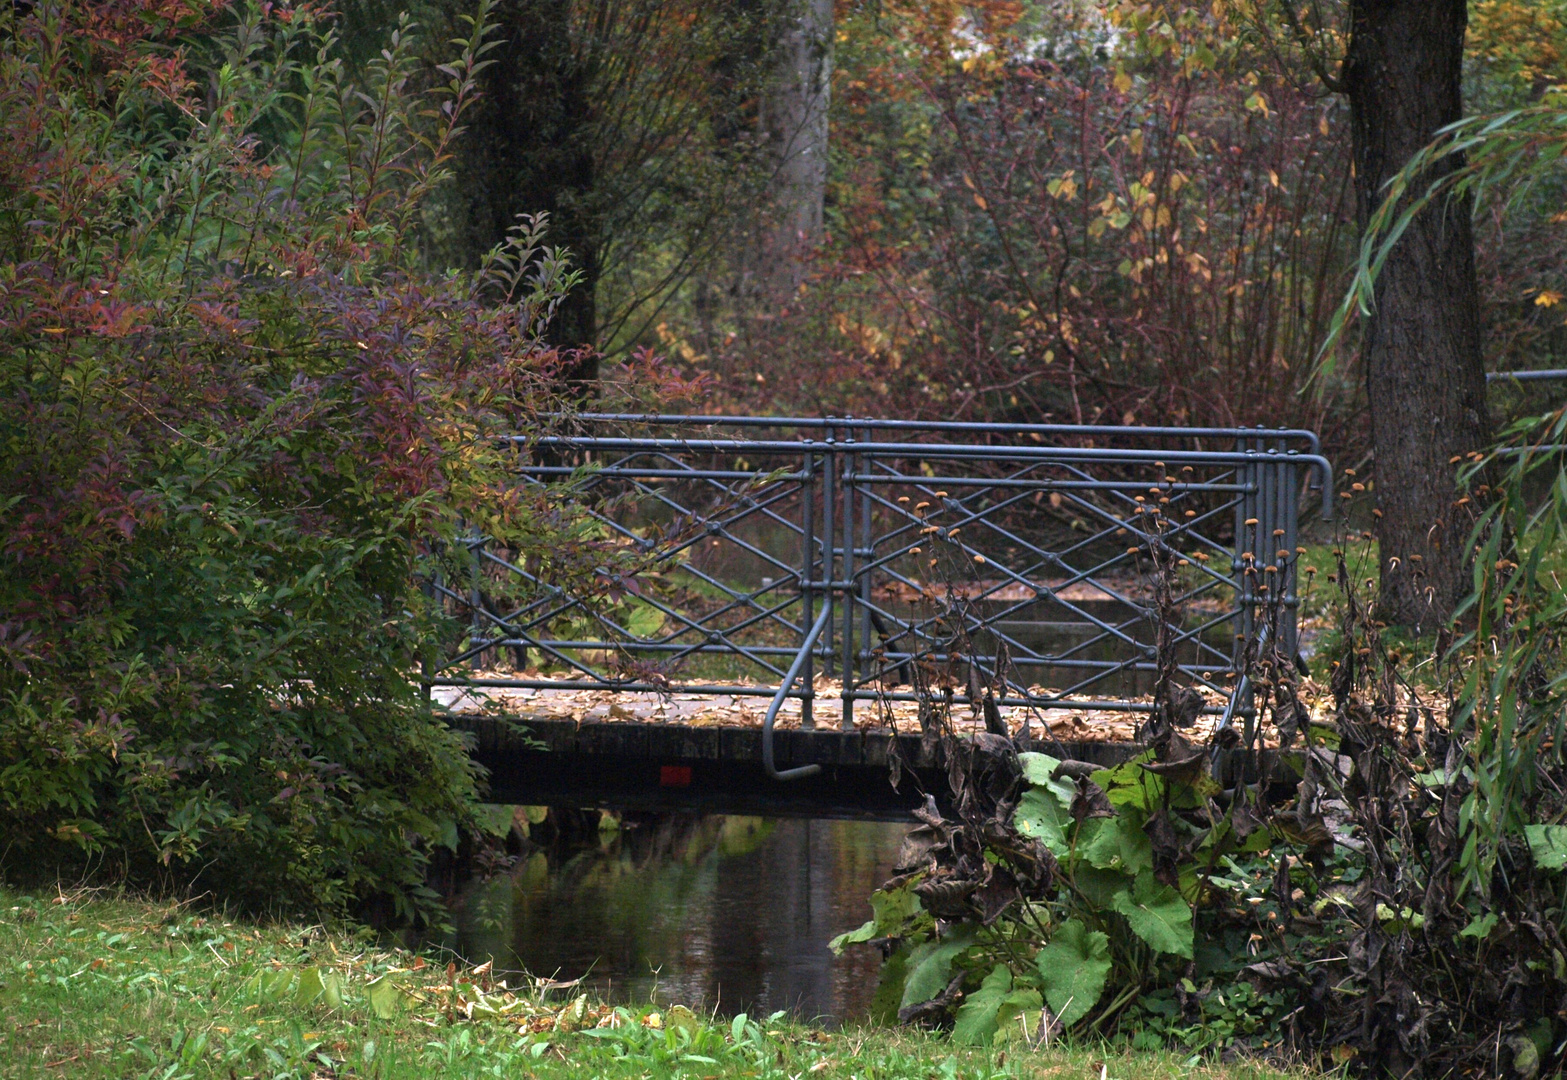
(900, 560)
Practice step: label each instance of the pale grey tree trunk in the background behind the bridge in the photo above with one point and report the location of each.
(795, 118)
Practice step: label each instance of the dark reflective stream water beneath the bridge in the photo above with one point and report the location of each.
(720, 913)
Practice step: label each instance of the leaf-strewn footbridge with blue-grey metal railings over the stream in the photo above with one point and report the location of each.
(792, 612)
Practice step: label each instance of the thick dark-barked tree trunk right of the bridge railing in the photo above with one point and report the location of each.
(1425, 379)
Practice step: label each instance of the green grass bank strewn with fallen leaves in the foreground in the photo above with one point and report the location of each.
(106, 987)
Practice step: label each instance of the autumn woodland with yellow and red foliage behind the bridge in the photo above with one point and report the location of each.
(1074, 212)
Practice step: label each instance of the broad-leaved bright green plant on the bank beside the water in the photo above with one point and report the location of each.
(1113, 922)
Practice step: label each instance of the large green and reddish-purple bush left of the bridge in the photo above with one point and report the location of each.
(239, 421)
